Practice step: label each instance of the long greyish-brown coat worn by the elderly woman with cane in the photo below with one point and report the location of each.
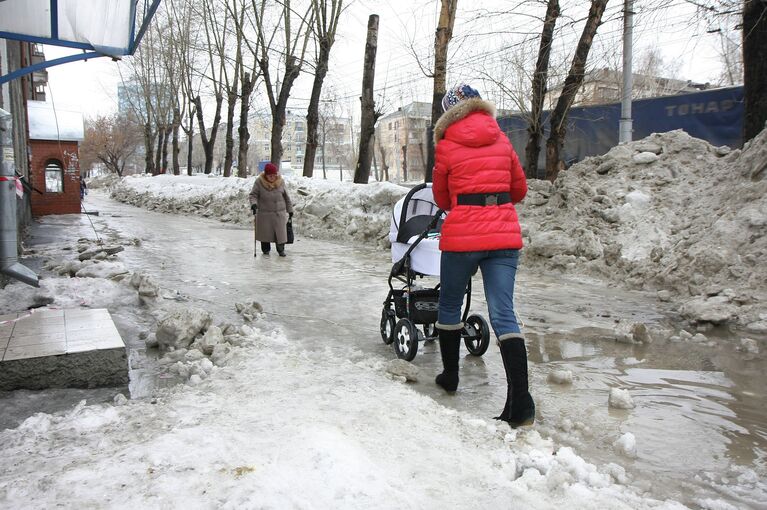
(273, 208)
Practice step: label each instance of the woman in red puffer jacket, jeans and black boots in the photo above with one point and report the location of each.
(478, 179)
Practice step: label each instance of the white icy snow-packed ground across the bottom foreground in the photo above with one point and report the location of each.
(283, 428)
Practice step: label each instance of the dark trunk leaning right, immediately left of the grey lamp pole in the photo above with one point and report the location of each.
(572, 84)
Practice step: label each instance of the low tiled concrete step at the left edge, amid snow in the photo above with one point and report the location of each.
(55, 348)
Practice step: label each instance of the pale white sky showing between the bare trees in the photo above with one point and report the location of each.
(92, 86)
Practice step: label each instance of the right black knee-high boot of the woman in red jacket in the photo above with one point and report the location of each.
(520, 407)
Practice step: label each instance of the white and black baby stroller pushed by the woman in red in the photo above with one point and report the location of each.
(414, 235)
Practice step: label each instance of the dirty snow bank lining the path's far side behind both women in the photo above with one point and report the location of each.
(669, 213)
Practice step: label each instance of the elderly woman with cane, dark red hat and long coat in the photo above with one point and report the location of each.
(272, 209)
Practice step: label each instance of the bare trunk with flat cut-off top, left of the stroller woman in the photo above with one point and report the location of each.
(368, 115)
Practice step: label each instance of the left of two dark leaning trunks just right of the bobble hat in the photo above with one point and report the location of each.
(535, 129)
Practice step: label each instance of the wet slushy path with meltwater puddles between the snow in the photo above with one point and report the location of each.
(700, 410)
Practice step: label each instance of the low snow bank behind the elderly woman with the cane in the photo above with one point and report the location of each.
(324, 209)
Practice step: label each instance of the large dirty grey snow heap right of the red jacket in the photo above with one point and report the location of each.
(689, 221)
